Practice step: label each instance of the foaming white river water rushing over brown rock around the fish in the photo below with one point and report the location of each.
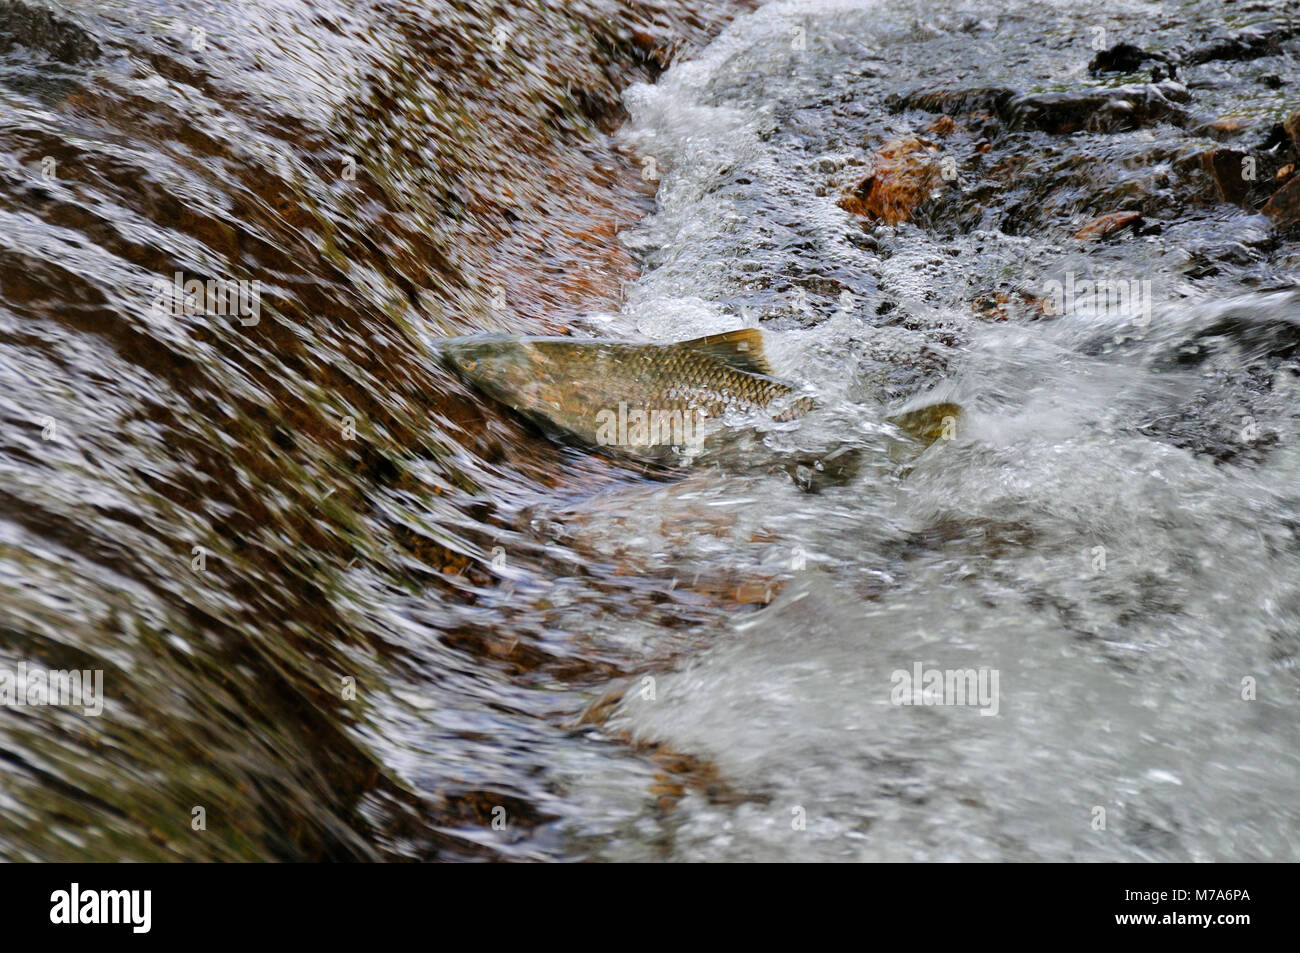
(353, 610)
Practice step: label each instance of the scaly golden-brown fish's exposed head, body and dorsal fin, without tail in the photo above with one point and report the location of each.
(643, 400)
